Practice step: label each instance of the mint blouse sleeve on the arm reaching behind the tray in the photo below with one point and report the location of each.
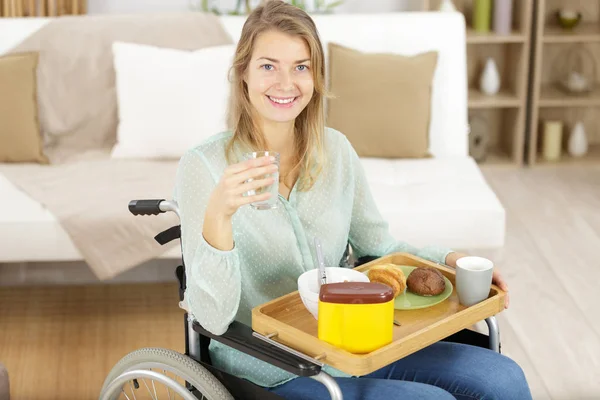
(369, 232)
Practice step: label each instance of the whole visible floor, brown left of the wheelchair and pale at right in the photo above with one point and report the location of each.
(59, 342)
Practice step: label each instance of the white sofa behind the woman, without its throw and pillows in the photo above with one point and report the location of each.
(442, 200)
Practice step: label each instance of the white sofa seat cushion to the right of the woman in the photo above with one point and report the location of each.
(443, 201)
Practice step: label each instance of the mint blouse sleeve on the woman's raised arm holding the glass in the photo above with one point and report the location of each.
(213, 276)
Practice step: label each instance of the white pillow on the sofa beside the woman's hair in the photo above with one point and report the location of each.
(169, 100)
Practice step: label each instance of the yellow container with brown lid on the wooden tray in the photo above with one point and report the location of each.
(356, 316)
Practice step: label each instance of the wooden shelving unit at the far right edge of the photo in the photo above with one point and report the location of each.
(548, 101)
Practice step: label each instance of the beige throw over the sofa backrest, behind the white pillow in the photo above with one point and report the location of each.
(76, 79)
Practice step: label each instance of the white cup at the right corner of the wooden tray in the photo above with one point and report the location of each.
(473, 279)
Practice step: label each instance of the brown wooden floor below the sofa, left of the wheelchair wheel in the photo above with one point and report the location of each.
(59, 343)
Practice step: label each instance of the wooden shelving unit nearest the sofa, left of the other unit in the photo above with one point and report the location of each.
(505, 113)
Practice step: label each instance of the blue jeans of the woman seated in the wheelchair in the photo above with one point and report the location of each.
(441, 371)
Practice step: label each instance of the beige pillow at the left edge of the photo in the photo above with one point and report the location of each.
(20, 139)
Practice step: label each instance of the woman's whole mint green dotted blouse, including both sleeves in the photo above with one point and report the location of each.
(273, 248)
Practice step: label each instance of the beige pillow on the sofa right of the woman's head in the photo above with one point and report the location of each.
(381, 101)
